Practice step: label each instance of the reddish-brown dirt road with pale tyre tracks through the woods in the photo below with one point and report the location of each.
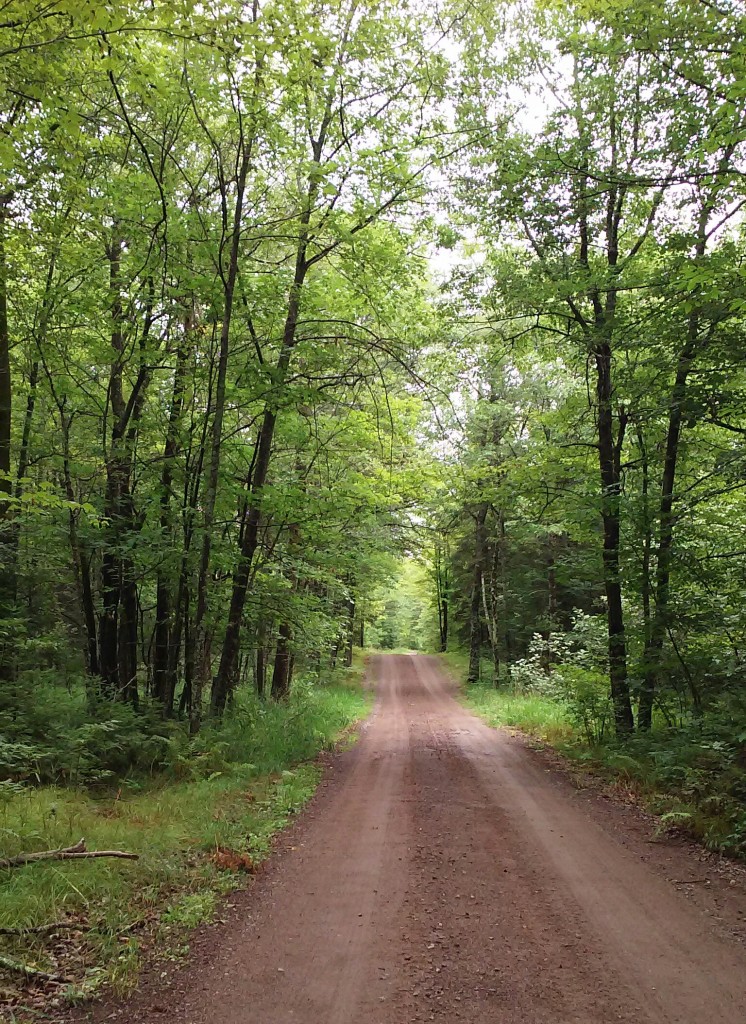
(447, 873)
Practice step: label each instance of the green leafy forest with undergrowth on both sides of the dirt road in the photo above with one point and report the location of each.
(331, 326)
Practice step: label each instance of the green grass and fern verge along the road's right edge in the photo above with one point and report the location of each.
(693, 779)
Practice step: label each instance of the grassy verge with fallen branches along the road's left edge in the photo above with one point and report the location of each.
(198, 827)
